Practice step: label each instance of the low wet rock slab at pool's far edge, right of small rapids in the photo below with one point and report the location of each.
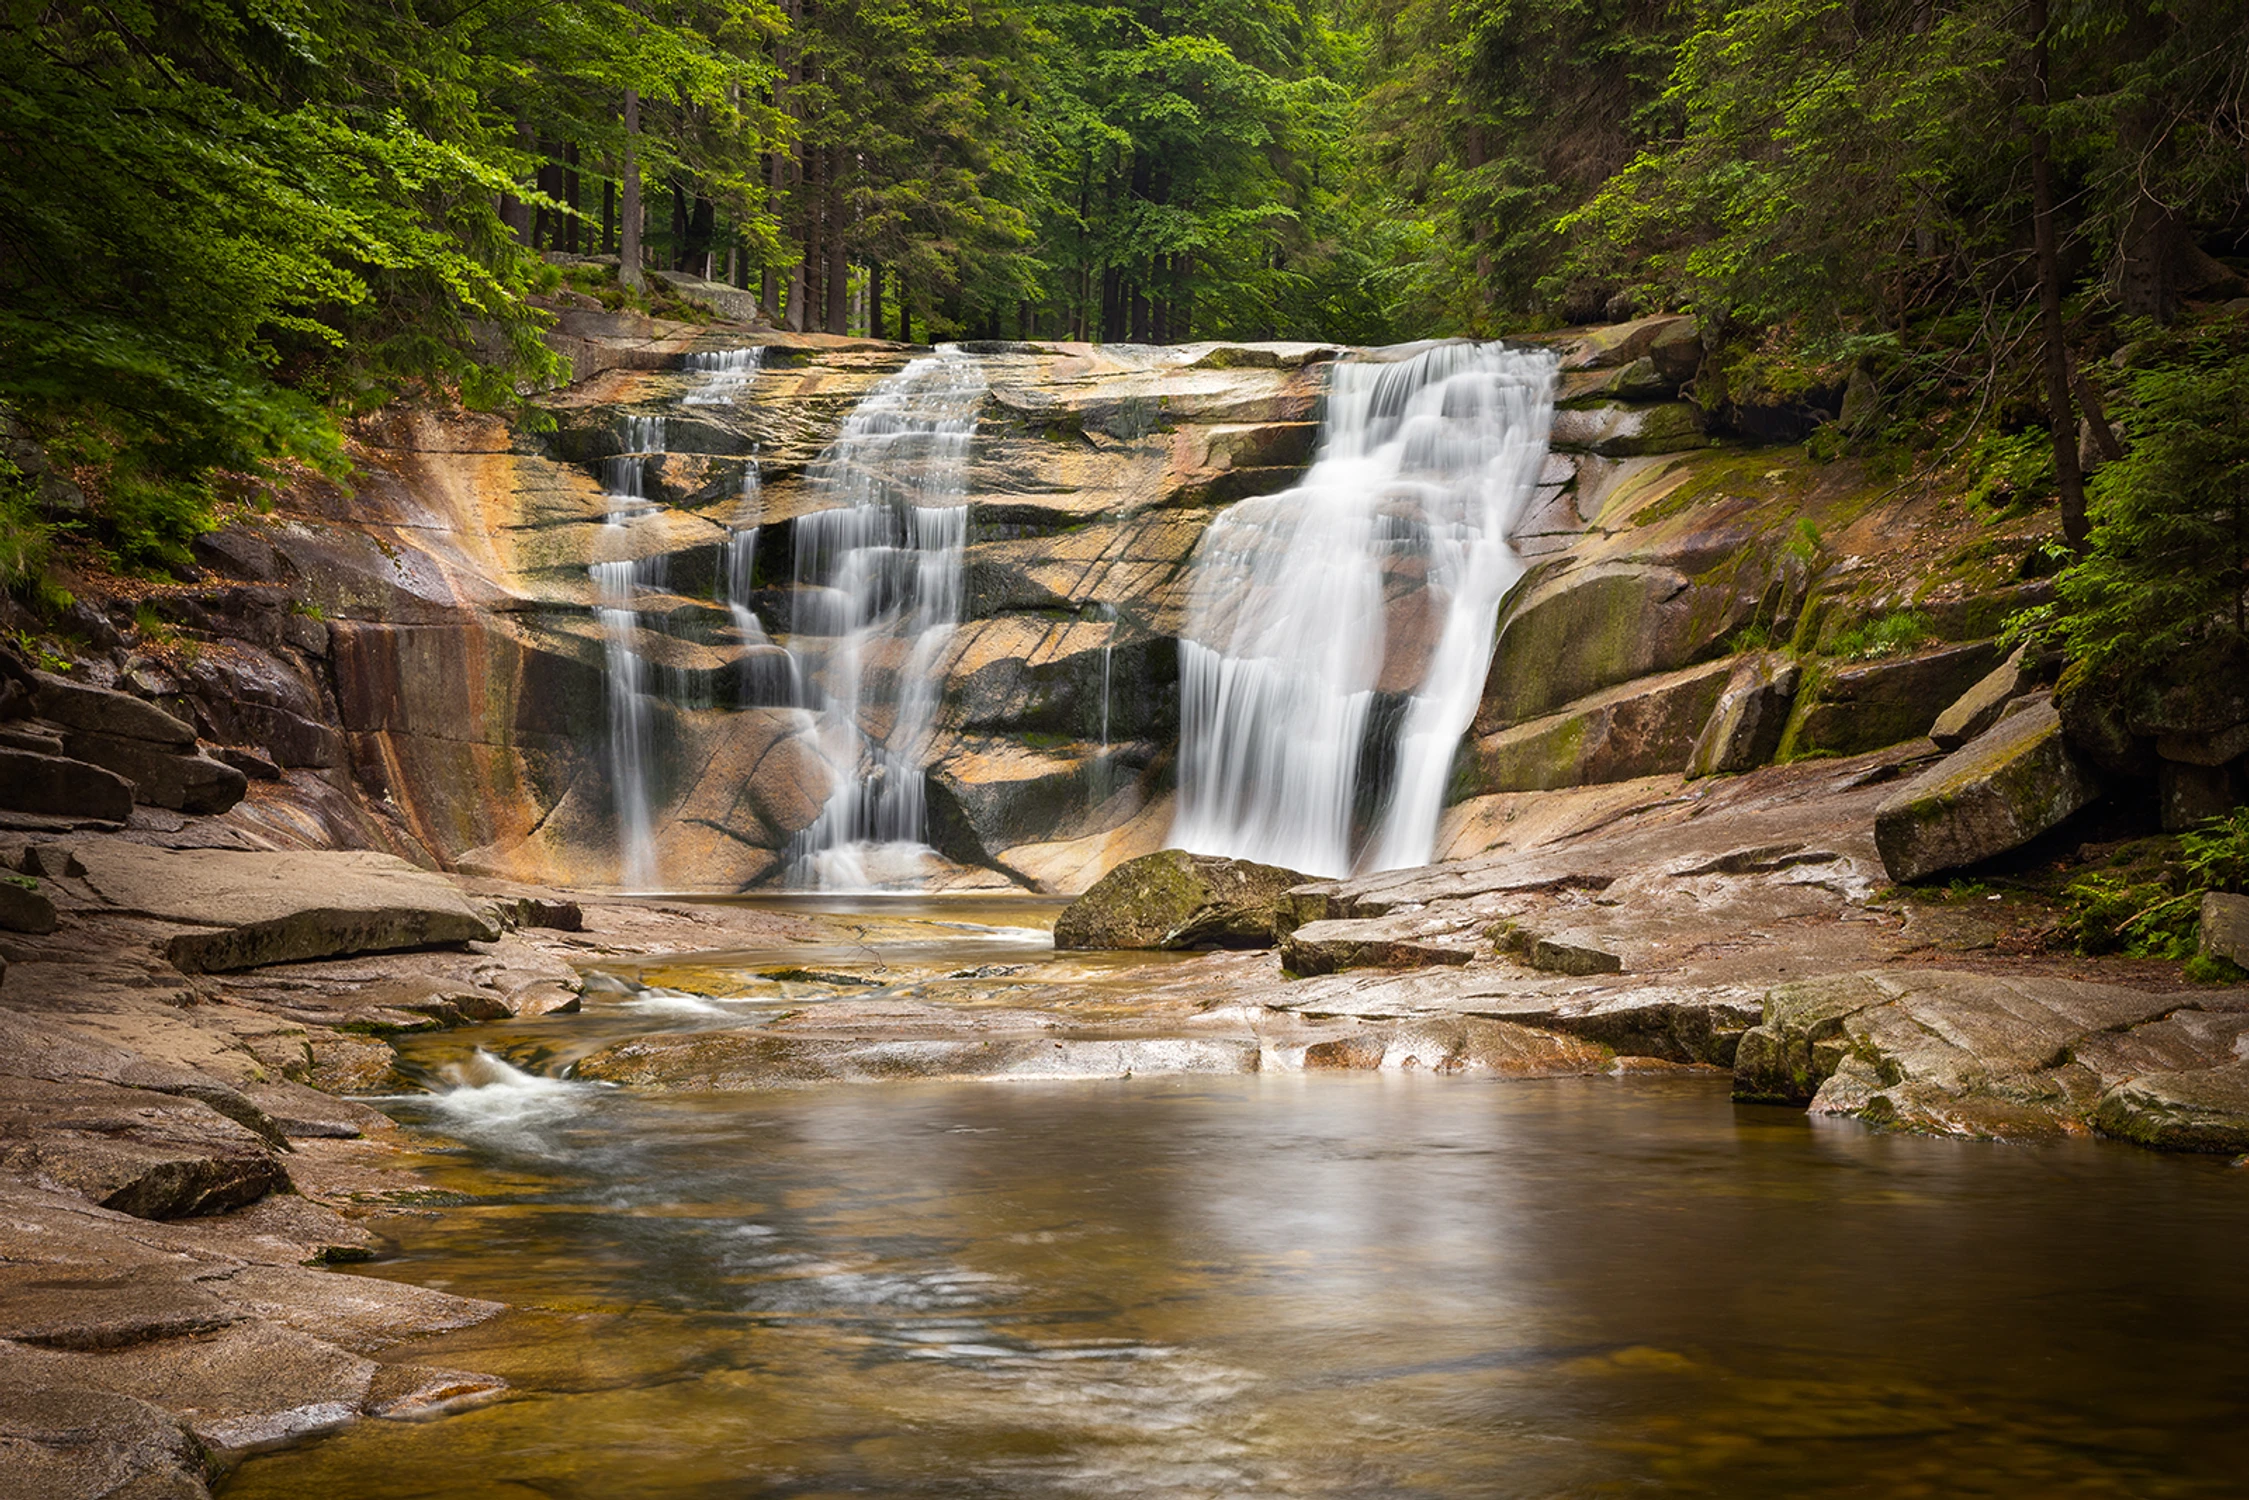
(725, 1060)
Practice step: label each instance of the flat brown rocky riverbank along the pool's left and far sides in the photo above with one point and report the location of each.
(181, 1153)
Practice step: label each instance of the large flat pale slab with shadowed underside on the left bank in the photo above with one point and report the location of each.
(282, 907)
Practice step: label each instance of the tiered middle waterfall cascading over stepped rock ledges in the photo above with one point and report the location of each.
(878, 599)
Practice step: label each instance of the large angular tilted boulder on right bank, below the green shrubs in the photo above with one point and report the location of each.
(1996, 793)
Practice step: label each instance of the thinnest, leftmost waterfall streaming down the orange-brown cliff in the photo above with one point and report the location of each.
(617, 586)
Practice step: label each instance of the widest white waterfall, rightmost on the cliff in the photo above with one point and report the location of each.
(1290, 674)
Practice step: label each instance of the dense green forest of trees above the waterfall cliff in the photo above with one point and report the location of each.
(1996, 235)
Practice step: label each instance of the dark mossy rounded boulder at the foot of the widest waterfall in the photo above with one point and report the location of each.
(1177, 901)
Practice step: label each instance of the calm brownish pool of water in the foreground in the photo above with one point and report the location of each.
(1301, 1285)
